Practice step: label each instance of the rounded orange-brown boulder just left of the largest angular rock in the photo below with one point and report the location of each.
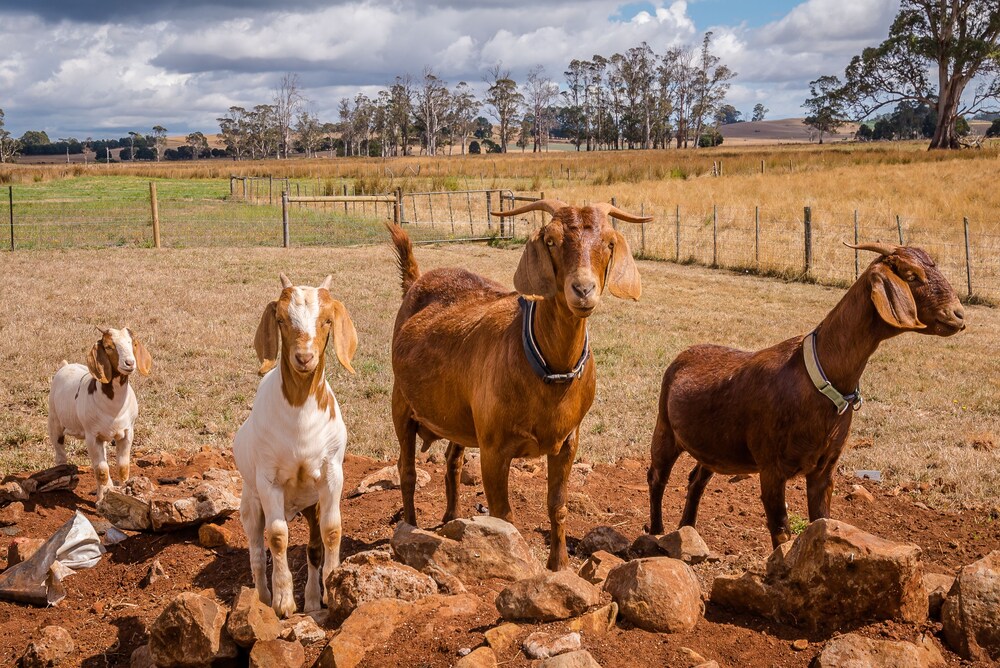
(658, 594)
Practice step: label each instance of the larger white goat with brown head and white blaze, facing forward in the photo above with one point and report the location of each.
(290, 450)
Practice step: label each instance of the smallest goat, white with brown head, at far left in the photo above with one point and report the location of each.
(96, 402)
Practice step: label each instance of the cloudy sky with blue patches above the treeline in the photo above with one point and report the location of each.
(88, 68)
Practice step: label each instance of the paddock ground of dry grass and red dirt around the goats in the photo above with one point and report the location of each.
(930, 422)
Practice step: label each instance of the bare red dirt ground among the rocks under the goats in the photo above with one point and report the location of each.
(108, 614)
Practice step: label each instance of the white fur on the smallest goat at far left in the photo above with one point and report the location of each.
(73, 411)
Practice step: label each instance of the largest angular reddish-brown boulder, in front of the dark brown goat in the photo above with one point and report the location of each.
(831, 576)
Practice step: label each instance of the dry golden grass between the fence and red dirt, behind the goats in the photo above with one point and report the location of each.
(932, 409)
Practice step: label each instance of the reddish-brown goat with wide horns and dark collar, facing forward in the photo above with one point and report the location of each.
(478, 365)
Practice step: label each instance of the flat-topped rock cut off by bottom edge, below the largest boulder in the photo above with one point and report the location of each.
(858, 651)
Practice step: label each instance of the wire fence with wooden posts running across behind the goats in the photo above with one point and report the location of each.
(806, 244)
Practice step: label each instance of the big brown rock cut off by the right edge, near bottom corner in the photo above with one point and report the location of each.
(971, 613)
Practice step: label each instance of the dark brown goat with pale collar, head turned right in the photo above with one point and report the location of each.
(742, 412)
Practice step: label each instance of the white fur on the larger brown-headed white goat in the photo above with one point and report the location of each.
(290, 458)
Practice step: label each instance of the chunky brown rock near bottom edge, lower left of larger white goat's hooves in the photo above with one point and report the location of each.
(189, 632)
